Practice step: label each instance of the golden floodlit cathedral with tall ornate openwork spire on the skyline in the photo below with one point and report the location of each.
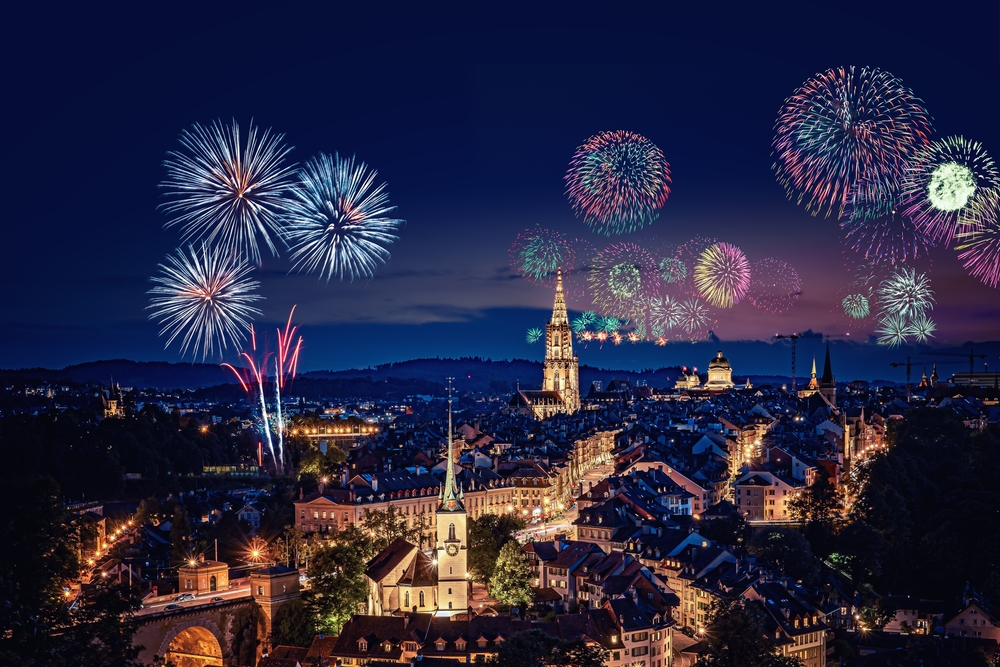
(560, 392)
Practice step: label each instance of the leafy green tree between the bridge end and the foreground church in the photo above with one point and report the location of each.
(338, 587)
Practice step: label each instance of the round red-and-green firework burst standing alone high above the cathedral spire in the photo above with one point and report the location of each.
(618, 181)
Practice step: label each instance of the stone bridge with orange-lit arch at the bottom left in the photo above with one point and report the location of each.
(215, 634)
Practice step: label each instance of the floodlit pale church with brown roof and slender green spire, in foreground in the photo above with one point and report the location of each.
(402, 578)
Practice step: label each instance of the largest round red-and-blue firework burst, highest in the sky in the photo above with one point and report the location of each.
(840, 125)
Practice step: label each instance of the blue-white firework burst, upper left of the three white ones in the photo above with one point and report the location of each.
(225, 191)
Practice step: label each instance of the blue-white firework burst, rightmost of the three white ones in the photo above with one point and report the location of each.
(341, 225)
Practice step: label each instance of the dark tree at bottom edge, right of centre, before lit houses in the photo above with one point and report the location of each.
(735, 637)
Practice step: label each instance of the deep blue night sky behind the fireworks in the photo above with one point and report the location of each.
(471, 118)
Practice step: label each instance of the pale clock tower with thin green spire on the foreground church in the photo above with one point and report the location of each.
(452, 538)
